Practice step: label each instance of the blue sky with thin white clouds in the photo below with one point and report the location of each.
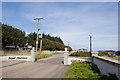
(72, 21)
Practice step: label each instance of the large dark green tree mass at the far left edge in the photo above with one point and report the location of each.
(12, 36)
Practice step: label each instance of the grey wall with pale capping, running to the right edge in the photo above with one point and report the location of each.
(107, 65)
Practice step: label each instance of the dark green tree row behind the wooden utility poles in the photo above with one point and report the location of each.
(49, 42)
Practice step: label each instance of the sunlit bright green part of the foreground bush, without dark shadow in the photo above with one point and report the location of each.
(82, 70)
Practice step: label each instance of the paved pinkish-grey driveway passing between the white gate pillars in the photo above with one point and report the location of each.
(51, 67)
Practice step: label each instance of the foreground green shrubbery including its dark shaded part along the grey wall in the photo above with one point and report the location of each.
(84, 70)
